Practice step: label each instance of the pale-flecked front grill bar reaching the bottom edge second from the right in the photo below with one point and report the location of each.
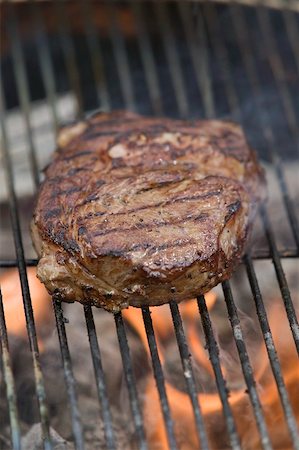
(246, 365)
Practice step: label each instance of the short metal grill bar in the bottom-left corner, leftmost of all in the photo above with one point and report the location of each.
(9, 383)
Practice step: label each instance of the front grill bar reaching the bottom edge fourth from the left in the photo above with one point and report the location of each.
(100, 378)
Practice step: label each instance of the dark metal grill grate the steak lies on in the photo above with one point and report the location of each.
(206, 32)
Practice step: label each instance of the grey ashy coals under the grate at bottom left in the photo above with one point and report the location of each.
(57, 400)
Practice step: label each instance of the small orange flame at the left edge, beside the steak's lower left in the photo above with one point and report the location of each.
(13, 303)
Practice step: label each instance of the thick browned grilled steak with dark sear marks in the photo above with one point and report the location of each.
(139, 211)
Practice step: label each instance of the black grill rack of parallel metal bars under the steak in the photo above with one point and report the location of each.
(205, 20)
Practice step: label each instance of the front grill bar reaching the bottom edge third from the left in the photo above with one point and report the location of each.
(69, 376)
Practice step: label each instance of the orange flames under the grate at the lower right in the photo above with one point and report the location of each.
(211, 407)
